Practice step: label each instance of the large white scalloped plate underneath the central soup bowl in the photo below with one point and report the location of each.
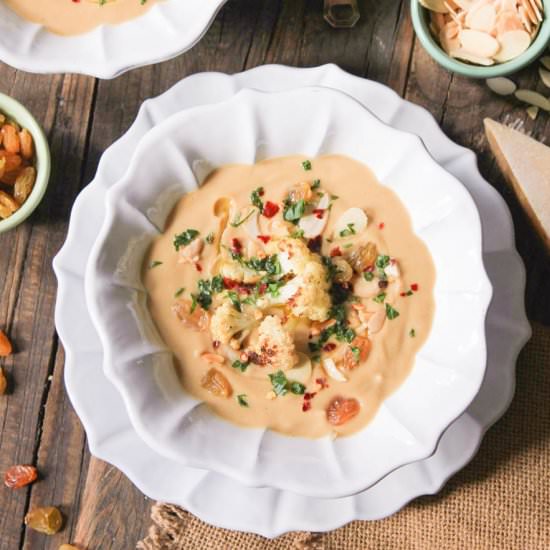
(222, 501)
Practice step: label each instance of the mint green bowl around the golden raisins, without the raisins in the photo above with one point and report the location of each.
(13, 109)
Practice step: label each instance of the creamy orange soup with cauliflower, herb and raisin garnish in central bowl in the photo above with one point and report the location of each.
(293, 293)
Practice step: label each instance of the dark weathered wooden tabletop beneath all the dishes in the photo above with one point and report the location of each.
(82, 116)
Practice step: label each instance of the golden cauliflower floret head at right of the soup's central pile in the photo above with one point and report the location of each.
(311, 299)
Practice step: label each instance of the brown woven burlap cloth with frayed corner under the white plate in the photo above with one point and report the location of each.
(499, 501)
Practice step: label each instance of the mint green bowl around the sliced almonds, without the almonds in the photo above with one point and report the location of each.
(420, 19)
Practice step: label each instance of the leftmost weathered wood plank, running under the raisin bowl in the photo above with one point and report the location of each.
(28, 285)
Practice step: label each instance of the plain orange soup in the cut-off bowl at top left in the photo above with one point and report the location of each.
(70, 17)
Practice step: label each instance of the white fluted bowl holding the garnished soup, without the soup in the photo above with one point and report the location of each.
(252, 126)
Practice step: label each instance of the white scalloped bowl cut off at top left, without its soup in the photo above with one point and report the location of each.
(166, 30)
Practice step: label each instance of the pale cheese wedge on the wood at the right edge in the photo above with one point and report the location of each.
(525, 164)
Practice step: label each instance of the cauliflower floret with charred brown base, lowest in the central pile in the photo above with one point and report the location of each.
(274, 346)
